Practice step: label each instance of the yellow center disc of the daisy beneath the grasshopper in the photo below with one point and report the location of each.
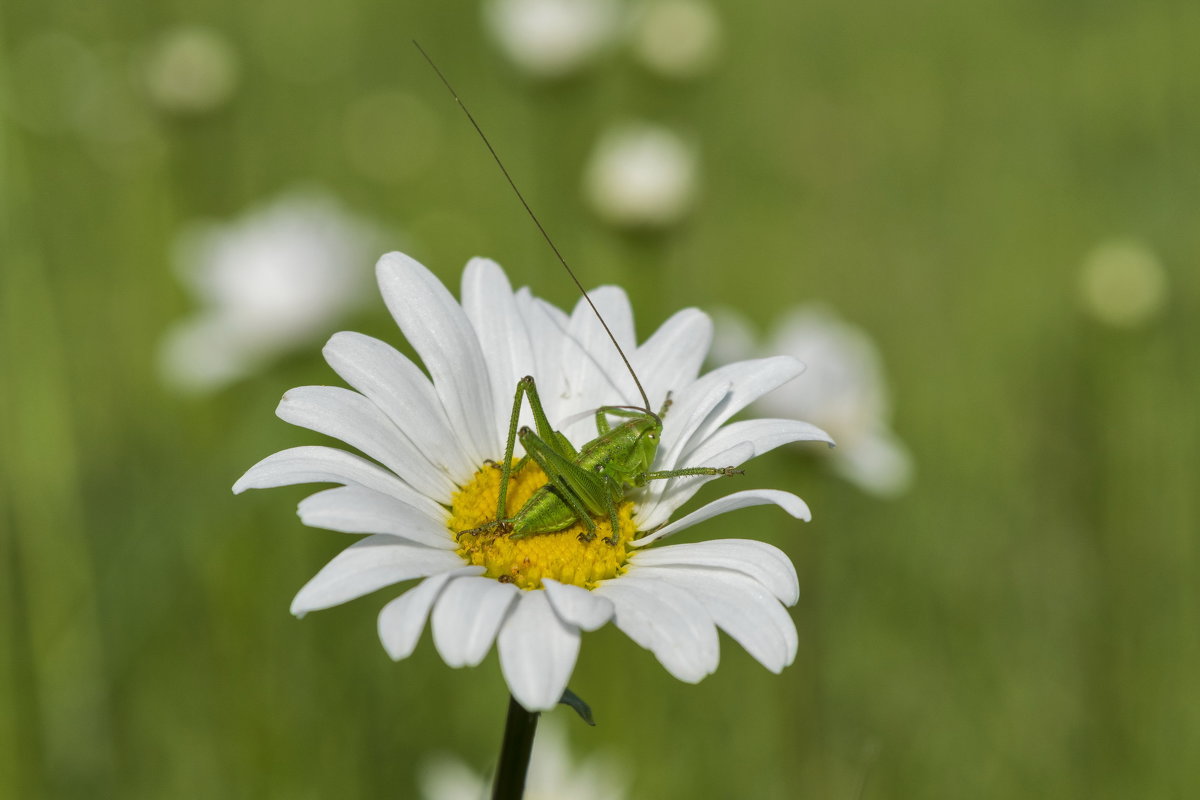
(561, 556)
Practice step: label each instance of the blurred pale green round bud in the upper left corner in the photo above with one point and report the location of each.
(191, 70)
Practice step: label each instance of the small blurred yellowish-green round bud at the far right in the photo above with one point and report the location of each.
(1123, 284)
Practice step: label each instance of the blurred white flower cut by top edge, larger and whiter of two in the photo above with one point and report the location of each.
(551, 39)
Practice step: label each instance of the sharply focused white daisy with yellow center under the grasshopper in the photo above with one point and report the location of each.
(436, 441)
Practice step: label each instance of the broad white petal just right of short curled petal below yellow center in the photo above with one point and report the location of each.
(668, 622)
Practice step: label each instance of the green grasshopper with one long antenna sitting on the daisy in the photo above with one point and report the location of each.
(589, 483)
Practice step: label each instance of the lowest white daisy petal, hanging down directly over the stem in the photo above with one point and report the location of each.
(538, 652)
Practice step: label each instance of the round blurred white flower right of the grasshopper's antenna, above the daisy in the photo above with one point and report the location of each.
(641, 176)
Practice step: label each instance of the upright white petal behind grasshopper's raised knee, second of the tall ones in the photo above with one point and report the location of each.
(493, 310)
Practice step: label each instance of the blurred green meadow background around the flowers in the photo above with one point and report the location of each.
(1024, 623)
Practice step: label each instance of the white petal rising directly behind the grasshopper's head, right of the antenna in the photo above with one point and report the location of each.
(671, 359)
